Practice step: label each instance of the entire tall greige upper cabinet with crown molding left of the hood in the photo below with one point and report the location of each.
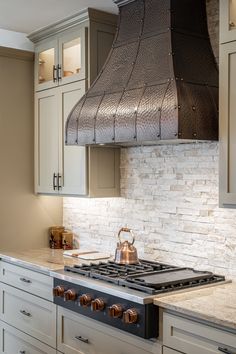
(68, 57)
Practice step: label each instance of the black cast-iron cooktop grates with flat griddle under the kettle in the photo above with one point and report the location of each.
(149, 277)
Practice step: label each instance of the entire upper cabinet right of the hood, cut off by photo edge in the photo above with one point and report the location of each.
(227, 157)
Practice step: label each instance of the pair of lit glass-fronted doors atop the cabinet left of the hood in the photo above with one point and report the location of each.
(61, 60)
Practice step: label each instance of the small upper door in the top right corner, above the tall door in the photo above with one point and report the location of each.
(227, 21)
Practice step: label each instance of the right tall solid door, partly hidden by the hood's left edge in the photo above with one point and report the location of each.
(74, 158)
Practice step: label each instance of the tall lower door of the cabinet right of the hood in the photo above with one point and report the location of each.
(227, 124)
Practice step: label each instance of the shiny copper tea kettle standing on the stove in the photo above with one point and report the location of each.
(126, 253)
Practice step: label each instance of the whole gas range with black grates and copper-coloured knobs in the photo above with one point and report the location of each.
(122, 295)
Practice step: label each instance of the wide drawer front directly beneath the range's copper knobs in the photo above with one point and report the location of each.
(80, 335)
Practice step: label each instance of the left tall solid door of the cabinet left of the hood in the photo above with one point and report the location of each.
(46, 141)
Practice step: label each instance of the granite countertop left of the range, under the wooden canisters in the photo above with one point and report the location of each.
(42, 260)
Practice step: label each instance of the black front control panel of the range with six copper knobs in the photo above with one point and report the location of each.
(140, 320)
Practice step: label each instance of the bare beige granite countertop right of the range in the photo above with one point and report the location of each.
(216, 304)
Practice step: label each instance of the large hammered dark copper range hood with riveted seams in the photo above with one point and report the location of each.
(160, 81)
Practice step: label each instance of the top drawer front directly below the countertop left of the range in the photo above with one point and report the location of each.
(27, 280)
